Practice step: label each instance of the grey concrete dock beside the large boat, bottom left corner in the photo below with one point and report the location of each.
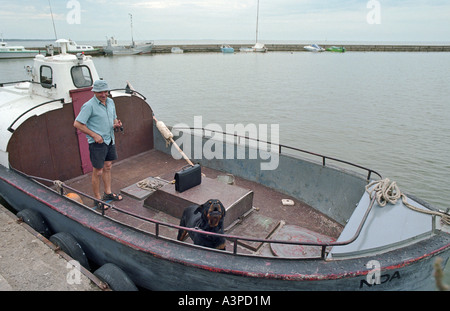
(29, 262)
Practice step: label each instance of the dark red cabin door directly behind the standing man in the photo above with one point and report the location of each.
(79, 97)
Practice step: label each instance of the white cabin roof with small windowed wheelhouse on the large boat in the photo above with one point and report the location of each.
(52, 78)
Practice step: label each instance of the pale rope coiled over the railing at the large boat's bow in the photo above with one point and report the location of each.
(386, 191)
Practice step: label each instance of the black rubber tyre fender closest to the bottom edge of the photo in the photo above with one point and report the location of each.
(115, 277)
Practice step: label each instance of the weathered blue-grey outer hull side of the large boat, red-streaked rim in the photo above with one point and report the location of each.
(157, 263)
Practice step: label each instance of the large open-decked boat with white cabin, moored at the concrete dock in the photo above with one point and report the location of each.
(295, 220)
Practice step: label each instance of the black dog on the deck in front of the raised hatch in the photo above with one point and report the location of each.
(207, 217)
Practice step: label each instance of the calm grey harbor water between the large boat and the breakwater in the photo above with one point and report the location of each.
(387, 111)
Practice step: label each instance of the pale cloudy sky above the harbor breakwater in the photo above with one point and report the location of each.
(279, 20)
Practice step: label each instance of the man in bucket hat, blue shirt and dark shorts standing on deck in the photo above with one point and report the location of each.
(98, 120)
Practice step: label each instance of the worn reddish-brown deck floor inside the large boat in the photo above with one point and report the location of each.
(266, 216)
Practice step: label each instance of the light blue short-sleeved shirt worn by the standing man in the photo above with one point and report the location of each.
(99, 119)
